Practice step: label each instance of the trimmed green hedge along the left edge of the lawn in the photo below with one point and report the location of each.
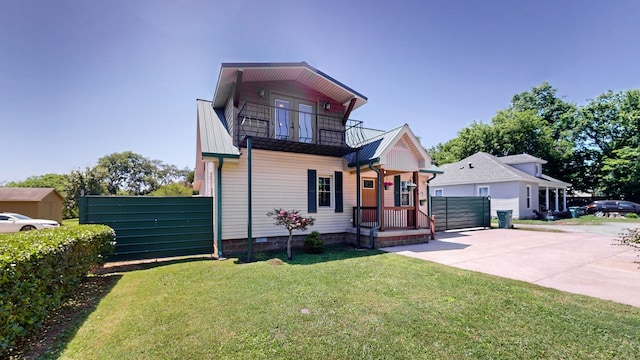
(40, 268)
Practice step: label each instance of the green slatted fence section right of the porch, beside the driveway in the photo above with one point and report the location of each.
(460, 212)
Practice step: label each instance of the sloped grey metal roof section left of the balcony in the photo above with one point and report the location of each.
(213, 135)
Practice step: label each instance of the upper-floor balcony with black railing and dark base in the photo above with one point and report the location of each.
(273, 128)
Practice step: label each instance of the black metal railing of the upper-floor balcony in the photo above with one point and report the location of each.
(258, 120)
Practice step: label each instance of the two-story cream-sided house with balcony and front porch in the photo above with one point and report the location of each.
(280, 135)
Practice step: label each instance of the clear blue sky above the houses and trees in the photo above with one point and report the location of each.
(83, 79)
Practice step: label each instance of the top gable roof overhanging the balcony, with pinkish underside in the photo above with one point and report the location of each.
(300, 72)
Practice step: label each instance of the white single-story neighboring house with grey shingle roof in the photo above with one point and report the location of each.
(514, 182)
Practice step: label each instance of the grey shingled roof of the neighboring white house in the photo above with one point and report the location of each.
(482, 168)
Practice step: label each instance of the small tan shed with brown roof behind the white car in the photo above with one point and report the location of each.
(38, 203)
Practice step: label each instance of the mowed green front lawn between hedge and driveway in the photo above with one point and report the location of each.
(344, 304)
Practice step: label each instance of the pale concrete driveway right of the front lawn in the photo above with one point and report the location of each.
(582, 261)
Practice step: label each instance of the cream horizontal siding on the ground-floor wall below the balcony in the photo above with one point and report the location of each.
(280, 181)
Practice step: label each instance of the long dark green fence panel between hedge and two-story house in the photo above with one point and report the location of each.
(148, 227)
